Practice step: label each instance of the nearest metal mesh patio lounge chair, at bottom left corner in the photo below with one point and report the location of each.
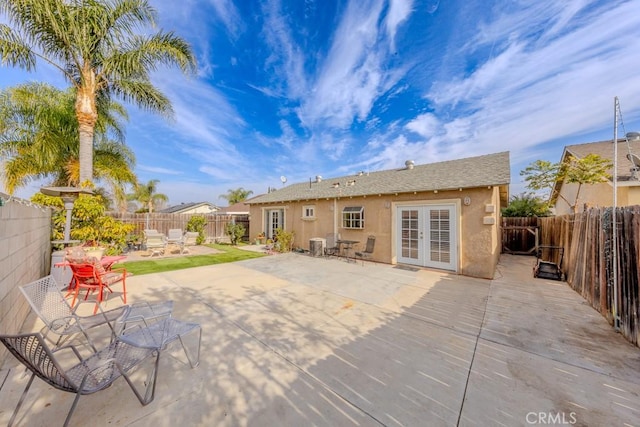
(90, 375)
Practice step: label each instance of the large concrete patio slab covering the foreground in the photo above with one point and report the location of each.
(293, 340)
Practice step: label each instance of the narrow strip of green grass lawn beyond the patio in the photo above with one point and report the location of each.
(230, 254)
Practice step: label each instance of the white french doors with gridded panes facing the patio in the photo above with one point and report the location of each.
(427, 236)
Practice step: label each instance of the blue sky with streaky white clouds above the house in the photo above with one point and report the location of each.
(301, 88)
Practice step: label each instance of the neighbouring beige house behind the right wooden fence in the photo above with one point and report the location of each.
(628, 182)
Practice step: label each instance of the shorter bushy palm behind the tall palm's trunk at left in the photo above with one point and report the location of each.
(39, 139)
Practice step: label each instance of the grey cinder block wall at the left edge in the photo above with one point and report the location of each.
(25, 256)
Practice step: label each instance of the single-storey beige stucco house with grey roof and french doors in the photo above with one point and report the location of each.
(441, 215)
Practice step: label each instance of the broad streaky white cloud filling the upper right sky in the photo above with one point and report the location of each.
(530, 93)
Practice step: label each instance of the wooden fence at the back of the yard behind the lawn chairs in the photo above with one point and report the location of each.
(214, 228)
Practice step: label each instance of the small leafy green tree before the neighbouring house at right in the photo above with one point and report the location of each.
(543, 175)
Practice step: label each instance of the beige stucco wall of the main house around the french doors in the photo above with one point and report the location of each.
(478, 243)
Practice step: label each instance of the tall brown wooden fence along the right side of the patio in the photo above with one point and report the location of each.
(587, 239)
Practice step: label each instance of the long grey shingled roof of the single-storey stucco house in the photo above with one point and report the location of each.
(491, 169)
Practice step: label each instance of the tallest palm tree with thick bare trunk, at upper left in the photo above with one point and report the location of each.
(93, 44)
